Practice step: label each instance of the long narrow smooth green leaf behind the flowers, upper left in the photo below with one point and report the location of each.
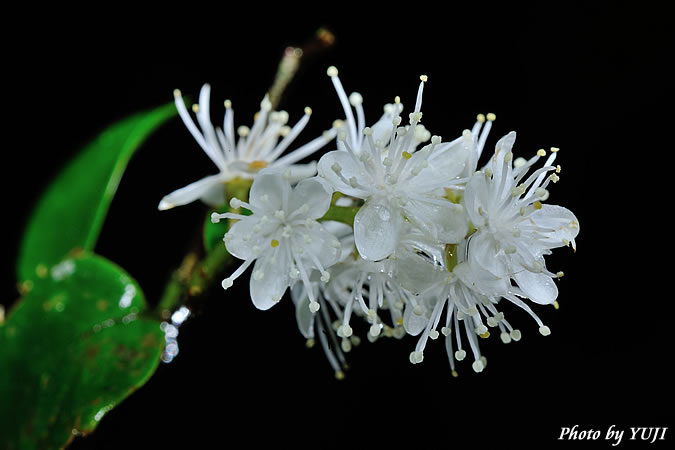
(71, 212)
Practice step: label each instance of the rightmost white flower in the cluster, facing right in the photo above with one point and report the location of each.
(515, 230)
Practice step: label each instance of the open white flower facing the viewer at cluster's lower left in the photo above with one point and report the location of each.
(282, 236)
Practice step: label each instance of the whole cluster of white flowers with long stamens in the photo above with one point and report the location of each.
(394, 226)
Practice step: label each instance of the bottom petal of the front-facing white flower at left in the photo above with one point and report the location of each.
(268, 290)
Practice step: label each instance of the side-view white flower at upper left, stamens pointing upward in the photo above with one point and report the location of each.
(256, 148)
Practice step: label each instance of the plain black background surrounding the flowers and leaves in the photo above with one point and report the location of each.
(586, 77)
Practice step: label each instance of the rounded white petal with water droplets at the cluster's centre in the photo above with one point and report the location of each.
(376, 230)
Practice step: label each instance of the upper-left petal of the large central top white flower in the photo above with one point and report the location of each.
(349, 167)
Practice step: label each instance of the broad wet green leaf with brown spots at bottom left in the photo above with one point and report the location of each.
(72, 349)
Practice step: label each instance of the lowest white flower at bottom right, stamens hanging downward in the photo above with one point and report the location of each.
(468, 294)
